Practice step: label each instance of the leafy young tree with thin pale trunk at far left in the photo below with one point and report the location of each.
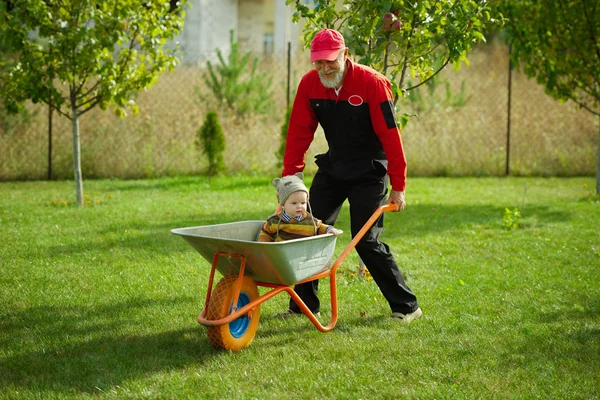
(75, 55)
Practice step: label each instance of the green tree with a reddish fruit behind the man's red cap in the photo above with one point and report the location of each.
(408, 41)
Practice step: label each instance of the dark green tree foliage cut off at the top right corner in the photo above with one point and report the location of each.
(558, 43)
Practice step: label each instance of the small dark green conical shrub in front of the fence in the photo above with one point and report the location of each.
(211, 141)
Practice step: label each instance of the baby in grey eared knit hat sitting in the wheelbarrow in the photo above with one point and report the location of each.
(293, 221)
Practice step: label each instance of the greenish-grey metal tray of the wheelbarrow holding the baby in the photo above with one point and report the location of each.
(283, 263)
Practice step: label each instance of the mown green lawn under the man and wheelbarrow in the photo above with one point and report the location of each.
(102, 301)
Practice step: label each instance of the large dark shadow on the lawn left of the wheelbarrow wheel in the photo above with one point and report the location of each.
(78, 349)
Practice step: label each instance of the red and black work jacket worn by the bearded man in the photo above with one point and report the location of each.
(359, 125)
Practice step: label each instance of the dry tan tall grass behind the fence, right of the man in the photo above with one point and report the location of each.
(546, 137)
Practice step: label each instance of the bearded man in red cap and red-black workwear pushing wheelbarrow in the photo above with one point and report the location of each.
(354, 106)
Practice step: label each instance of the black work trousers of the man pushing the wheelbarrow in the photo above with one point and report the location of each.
(365, 195)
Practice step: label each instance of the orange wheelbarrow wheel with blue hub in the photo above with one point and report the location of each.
(238, 333)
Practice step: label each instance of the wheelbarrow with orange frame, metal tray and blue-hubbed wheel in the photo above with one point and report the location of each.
(232, 309)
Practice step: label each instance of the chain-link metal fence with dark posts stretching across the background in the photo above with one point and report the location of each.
(461, 128)
